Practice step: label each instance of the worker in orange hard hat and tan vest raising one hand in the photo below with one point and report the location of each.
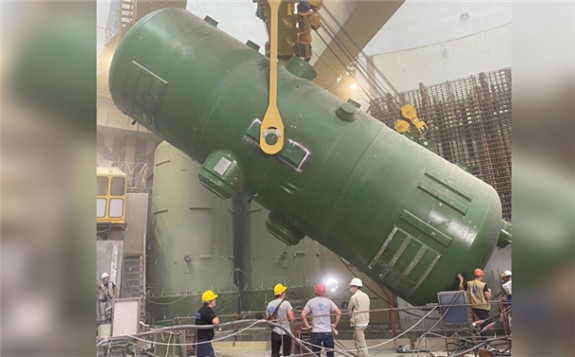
(478, 294)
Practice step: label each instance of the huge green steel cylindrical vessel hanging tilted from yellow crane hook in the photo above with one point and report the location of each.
(400, 213)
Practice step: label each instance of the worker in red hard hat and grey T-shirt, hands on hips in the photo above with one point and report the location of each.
(321, 309)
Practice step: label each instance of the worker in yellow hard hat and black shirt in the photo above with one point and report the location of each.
(206, 316)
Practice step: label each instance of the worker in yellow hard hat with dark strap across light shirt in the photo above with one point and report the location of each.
(281, 311)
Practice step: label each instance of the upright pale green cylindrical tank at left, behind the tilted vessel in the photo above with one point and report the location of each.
(191, 245)
